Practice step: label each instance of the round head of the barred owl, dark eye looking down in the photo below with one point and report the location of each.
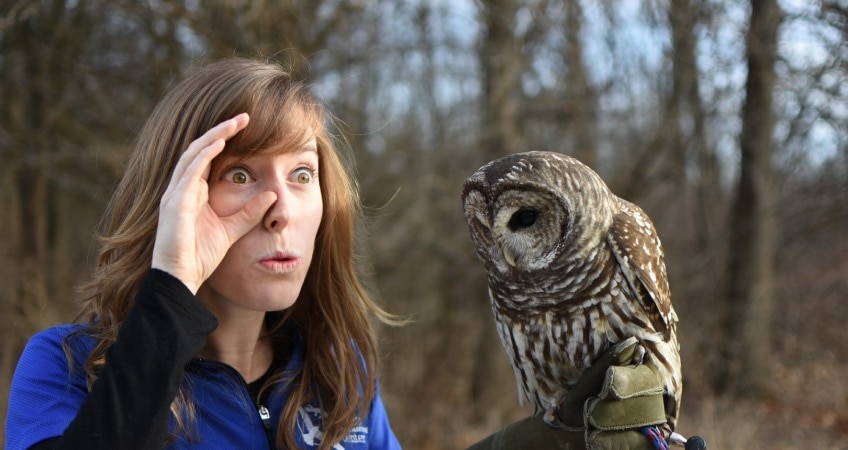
(528, 211)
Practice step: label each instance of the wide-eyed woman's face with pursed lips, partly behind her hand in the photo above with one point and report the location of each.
(265, 269)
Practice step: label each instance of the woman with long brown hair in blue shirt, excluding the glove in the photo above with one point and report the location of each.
(225, 310)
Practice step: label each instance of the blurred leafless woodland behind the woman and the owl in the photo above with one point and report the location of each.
(727, 121)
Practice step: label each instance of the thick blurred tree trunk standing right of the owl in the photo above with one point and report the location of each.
(753, 220)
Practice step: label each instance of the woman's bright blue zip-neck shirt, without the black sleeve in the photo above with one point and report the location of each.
(45, 397)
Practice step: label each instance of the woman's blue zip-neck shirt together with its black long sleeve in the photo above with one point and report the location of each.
(153, 358)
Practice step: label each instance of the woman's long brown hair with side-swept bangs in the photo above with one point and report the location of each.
(333, 311)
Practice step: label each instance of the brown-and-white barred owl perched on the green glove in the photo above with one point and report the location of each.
(572, 269)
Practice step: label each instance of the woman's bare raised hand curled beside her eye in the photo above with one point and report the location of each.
(191, 240)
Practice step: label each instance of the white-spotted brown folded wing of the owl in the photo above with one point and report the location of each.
(640, 256)
